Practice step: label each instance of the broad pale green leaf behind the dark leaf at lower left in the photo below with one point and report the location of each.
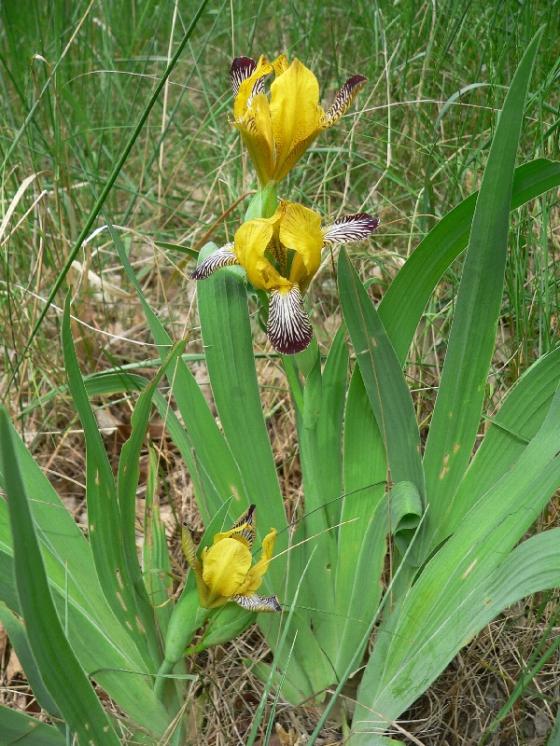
(104, 647)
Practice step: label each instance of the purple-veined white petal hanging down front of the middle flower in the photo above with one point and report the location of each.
(288, 328)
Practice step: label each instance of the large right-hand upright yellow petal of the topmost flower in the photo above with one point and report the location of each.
(296, 115)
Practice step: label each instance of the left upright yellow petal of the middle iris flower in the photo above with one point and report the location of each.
(251, 241)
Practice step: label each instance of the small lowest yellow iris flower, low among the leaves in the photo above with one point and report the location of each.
(225, 572)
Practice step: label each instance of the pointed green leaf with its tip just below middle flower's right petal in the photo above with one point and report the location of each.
(383, 378)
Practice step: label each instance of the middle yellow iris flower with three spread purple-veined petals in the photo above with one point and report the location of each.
(280, 255)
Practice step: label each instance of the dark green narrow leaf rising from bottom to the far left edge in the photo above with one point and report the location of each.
(63, 676)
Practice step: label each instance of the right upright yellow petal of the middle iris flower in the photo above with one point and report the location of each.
(300, 230)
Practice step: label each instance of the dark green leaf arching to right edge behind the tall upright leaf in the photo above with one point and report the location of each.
(402, 305)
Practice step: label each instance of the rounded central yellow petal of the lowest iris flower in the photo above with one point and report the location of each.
(225, 566)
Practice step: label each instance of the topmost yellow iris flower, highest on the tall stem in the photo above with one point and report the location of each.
(278, 129)
